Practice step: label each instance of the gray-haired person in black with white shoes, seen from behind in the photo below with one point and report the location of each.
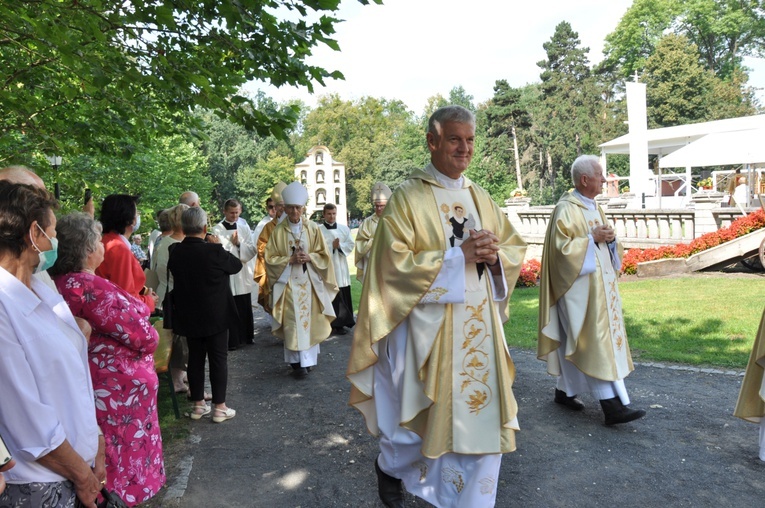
(204, 309)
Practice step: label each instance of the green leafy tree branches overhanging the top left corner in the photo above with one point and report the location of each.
(80, 75)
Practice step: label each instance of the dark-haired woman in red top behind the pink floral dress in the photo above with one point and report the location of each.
(119, 217)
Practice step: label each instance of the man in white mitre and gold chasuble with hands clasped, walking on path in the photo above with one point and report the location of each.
(302, 278)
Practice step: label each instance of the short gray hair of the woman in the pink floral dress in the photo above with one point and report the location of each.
(78, 235)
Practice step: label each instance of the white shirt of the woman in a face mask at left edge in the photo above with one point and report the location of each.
(47, 393)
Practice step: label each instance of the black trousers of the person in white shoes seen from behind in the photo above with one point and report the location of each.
(216, 348)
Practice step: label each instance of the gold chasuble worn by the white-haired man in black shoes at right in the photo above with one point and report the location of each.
(582, 309)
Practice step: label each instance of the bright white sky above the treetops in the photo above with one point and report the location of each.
(414, 49)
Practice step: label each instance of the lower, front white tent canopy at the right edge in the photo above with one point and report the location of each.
(720, 149)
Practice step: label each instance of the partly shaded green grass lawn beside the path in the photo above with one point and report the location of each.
(695, 321)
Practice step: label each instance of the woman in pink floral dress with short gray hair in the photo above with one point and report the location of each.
(121, 361)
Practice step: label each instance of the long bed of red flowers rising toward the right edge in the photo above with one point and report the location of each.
(739, 227)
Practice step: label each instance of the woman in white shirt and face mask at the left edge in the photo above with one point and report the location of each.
(47, 415)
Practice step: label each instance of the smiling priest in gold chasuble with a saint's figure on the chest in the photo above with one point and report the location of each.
(429, 367)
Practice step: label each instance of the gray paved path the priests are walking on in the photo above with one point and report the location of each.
(296, 443)
